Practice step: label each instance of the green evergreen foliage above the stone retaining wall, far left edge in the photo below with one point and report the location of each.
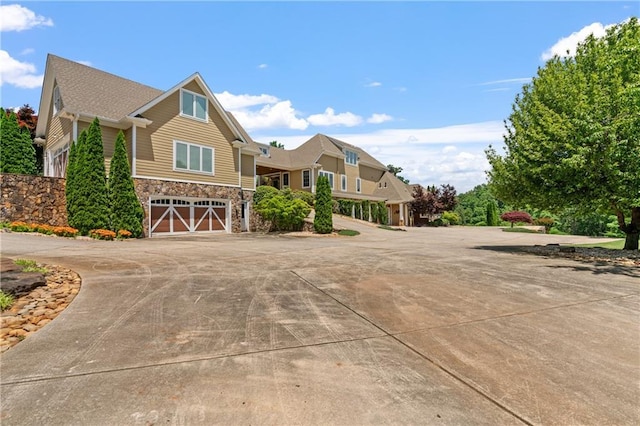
(17, 154)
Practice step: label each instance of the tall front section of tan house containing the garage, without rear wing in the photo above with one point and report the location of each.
(193, 169)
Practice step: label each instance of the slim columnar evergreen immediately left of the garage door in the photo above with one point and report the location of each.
(126, 211)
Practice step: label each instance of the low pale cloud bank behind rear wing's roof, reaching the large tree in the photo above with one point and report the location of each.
(451, 154)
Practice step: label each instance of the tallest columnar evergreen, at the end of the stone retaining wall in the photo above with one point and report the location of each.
(91, 199)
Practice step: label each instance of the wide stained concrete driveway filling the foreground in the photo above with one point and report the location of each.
(428, 326)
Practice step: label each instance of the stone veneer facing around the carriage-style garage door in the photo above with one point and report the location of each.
(145, 188)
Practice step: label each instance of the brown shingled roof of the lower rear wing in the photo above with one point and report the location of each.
(307, 154)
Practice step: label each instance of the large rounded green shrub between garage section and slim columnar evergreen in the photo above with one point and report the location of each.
(283, 213)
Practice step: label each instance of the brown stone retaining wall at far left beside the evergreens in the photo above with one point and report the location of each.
(33, 199)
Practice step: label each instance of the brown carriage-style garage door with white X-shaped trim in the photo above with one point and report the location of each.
(181, 215)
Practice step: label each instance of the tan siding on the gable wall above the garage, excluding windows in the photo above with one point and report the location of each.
(154, 144)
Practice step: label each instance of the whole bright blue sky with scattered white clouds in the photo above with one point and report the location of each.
(422, 85)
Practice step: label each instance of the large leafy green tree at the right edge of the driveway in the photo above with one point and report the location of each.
(573, 137)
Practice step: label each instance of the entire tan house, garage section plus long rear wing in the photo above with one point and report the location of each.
(195, 168)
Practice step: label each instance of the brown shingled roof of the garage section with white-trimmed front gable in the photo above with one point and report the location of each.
(94, 93)
